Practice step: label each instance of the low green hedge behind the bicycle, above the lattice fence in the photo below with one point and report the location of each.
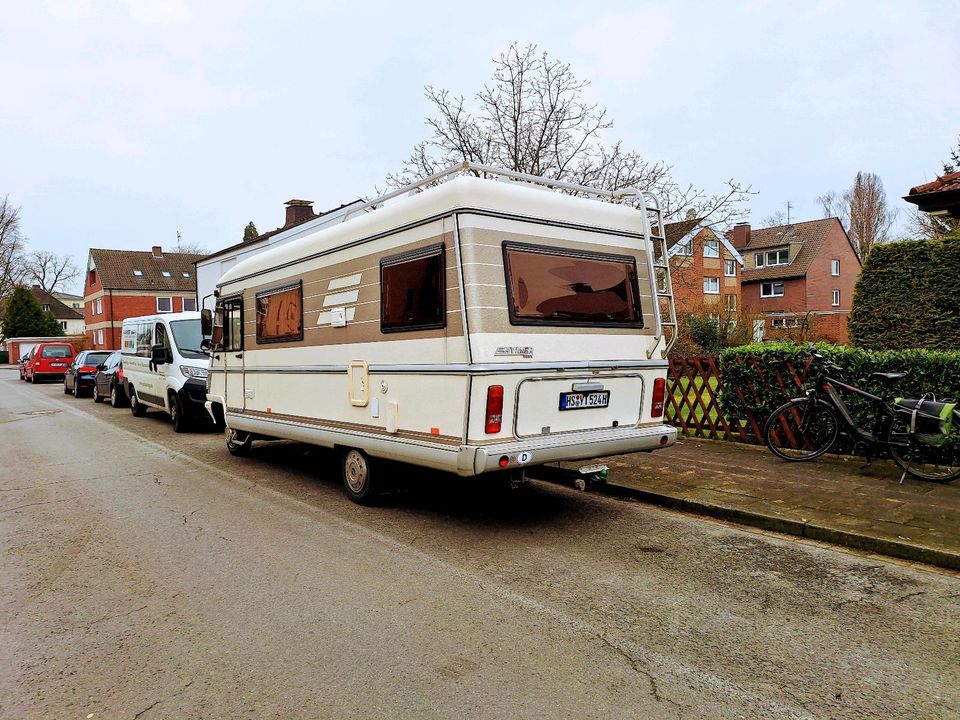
(756, 366)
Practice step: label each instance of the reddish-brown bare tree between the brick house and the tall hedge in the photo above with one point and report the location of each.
(863, 211)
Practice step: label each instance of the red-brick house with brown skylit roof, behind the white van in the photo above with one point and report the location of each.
(127, 283)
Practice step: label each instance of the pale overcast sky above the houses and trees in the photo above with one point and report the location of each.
(124, 121)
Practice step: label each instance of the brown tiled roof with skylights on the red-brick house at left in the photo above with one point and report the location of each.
(116, 267)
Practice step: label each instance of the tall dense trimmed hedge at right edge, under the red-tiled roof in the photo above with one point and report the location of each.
(906, 297)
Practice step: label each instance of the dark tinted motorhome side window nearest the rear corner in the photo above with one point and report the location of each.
(412, 291)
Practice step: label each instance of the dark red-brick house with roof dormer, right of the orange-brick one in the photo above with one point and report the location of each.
(798, 277)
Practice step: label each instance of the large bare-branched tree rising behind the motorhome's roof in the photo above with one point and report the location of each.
(533, 118)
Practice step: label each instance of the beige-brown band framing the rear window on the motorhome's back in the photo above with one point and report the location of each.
(485, 287)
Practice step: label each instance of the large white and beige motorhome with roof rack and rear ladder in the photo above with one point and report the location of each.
(472, 326)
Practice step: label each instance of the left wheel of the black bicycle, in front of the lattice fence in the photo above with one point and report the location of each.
(801, 430)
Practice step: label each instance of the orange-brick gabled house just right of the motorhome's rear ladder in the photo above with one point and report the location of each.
(705, 269)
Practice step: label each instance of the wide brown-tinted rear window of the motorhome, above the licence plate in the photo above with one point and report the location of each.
(550, 286)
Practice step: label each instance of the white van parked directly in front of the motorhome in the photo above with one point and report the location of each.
(164, 366)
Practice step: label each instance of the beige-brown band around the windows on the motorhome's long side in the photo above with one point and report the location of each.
(365, 326)
